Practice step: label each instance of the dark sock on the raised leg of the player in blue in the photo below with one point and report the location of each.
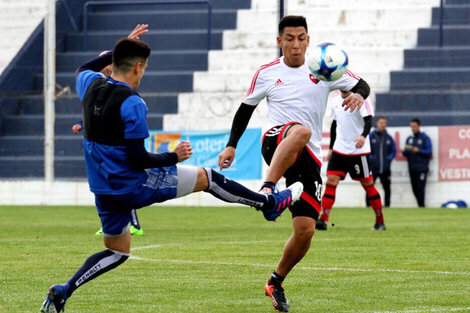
(230, 191)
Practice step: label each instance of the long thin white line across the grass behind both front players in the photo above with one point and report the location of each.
(308, 268)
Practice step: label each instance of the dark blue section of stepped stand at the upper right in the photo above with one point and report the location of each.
(435, 82)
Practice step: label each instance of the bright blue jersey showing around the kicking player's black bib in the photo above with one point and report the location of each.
(108, 170)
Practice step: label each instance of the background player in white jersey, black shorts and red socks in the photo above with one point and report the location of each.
(349, 148)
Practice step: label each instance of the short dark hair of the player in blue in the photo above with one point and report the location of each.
(127, 52)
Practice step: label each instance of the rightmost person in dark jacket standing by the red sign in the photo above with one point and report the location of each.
(418, 151)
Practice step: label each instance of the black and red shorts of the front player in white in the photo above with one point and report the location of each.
(306, 170)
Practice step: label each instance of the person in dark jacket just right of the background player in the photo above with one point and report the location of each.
(381, 156)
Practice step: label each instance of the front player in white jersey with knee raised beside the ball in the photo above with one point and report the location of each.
(296, 105)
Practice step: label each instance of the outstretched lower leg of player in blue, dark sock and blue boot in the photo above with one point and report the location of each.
(272, 206)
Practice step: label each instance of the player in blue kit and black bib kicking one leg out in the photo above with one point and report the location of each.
(124, 176)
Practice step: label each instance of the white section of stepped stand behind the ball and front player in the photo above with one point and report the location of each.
(374, 34)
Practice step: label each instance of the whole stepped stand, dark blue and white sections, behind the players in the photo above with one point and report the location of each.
(188, 88)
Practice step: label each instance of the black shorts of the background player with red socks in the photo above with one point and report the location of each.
(356, 165)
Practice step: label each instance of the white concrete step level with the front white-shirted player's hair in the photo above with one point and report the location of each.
(402, 17)
